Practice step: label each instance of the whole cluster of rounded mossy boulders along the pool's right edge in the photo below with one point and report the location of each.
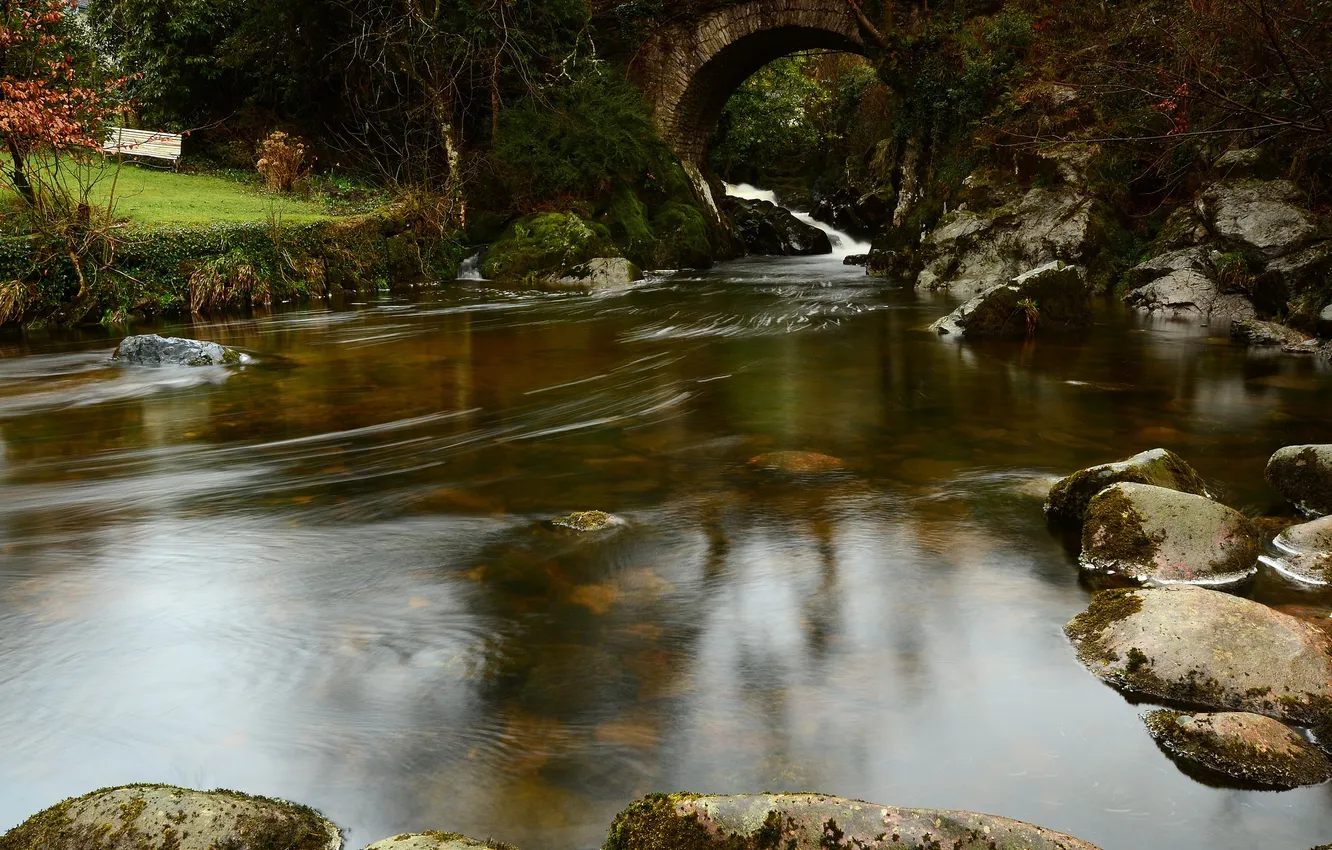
(1170, 631)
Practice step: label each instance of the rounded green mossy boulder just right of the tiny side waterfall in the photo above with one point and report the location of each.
(545, 247)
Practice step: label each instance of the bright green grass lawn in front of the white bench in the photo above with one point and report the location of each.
(155, 198)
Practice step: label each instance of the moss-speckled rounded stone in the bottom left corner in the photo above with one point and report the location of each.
(162, 817)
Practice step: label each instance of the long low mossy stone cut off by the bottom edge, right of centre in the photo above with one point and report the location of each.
(816, 823)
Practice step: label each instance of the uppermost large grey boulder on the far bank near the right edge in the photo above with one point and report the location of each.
(1266, 218)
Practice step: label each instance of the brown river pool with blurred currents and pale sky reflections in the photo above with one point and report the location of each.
(326, 576)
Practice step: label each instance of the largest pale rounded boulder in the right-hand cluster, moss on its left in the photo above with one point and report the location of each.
(1199, 648)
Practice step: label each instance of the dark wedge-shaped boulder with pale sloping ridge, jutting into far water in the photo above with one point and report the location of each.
(1052, 298)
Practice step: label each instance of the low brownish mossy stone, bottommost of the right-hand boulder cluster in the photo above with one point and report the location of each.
(1245, 747)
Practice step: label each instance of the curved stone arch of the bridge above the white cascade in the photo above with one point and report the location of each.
(691, 67)
